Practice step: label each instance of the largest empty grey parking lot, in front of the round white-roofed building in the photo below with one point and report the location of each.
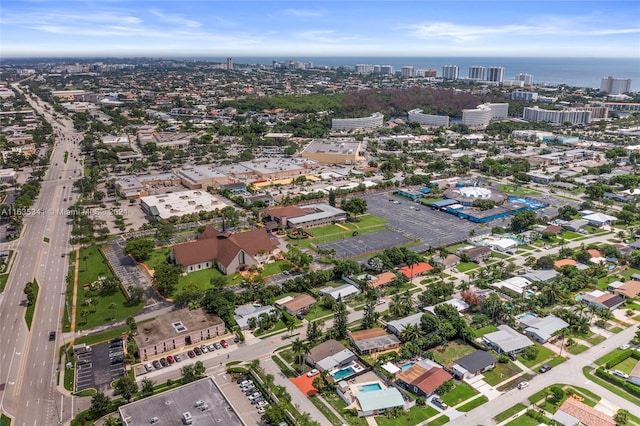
(434, 228)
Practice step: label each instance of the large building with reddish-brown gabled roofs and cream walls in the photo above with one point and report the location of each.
(226, 251)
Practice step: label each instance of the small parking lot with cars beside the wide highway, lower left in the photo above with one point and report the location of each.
(100, 366)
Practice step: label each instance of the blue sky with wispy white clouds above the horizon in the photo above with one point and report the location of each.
(560, 28)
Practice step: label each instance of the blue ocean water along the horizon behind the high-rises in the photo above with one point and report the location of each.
(578, 72)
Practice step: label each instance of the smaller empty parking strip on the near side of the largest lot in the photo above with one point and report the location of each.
(366, 243)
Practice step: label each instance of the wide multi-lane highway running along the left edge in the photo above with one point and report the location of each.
(28, 359)
